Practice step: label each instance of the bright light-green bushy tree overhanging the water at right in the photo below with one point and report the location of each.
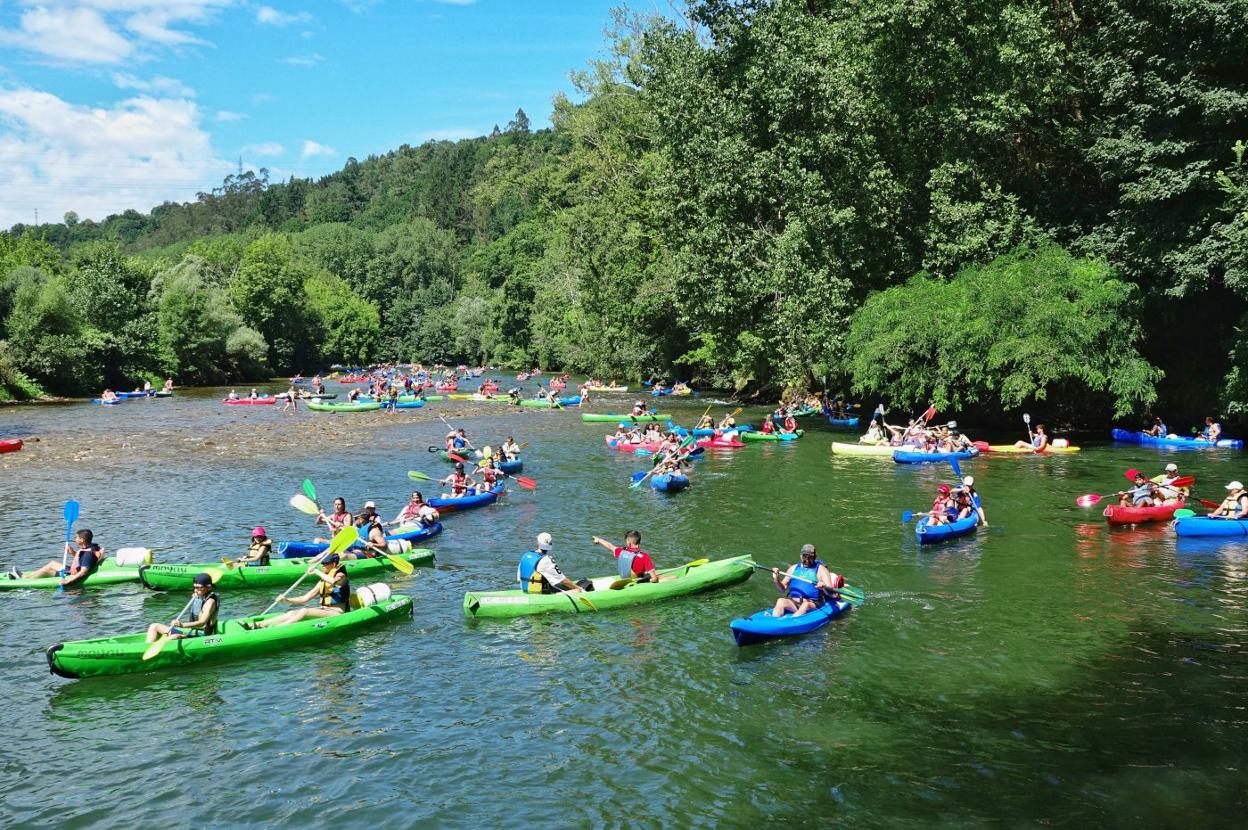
(1036, 325)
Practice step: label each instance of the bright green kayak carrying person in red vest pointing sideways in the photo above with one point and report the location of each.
(687, 581)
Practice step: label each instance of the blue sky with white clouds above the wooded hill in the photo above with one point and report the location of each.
(115, 104)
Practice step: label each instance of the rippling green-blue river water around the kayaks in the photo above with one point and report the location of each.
(1049, 671)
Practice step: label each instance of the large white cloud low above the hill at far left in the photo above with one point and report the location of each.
(58, 157)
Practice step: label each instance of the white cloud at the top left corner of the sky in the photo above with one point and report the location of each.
(105, 32)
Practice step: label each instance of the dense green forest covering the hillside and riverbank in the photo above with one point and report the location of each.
(989, 205)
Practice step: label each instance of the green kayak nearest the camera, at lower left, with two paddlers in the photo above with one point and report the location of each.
(124, 655)
